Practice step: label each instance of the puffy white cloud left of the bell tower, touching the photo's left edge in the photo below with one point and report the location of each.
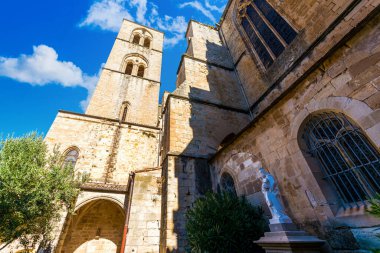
(43, 68)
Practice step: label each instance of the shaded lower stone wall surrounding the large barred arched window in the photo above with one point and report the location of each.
(347, 82)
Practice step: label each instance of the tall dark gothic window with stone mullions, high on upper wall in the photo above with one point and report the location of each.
(265, 30)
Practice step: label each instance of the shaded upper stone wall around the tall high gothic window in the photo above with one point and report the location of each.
(311, 19)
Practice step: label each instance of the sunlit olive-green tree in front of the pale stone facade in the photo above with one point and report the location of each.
(34, 187)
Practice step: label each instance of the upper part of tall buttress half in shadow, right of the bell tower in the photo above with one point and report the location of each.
(206, 71)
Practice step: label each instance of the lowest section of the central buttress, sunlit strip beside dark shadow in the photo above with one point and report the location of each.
(185, 180)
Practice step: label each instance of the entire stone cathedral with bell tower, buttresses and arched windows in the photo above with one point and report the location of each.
(292, 84)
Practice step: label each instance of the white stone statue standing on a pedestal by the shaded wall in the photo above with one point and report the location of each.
(270, 190)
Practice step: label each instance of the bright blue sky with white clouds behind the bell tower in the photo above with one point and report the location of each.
(51, 52)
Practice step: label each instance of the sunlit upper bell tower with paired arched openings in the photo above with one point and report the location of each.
(128, 87)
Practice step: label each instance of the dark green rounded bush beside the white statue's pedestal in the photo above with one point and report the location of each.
(220, 223)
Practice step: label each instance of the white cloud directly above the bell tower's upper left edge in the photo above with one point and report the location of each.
(107, 14)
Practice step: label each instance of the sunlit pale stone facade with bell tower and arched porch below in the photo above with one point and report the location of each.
(118, 135)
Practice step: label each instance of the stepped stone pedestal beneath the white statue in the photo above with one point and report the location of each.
(286, 238)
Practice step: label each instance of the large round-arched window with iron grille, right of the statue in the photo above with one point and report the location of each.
(349, 161)
